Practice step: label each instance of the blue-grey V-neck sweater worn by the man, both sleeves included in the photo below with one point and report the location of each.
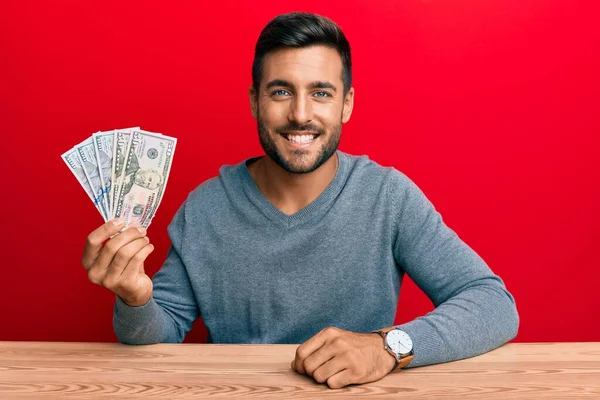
(257, 275)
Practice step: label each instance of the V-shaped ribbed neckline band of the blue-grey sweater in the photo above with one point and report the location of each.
(315, 208)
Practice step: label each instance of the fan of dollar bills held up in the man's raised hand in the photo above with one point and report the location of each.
(124, 172)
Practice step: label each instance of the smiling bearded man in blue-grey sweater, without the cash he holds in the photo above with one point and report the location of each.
(307, 244)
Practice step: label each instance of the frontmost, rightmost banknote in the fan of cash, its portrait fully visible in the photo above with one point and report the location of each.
(143, 180)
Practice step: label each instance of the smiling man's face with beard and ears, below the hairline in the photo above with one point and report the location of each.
(300, 107)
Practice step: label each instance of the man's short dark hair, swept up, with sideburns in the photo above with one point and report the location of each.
(300, 29)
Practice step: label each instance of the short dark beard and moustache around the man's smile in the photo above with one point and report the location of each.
(299, 162)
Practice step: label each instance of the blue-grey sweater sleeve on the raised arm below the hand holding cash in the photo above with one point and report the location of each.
(172, 309)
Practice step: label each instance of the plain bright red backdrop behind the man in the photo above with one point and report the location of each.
(491, 107)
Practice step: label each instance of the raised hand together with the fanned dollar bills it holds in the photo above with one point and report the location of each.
(124, 172)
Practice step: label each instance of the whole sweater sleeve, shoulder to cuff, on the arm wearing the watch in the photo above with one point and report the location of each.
(474, 313)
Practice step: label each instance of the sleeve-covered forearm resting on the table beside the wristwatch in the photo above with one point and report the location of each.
(480, 318)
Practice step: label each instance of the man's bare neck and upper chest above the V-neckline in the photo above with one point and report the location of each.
(290, 192)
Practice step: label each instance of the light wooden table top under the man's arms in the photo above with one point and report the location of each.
(42, 370)
